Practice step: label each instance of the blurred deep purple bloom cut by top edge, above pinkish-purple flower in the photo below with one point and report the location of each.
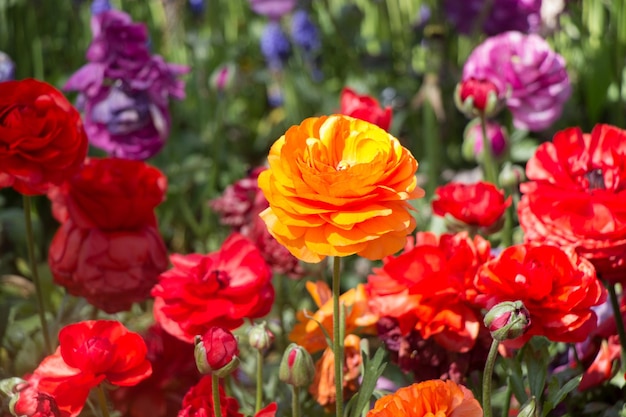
(503, 16)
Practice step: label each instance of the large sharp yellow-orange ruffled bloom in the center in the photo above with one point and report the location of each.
(339, 186)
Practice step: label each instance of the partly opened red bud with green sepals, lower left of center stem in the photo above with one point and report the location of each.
(216, 352)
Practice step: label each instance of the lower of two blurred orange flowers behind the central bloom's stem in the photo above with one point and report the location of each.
(323, 386)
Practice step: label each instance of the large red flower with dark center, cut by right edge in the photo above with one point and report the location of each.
(575, 197)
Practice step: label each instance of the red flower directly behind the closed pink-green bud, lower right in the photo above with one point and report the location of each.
(558, 288)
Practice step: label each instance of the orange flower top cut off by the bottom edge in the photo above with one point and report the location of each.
(428, 398)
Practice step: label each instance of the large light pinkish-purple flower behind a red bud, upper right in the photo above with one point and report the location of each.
(533, 76)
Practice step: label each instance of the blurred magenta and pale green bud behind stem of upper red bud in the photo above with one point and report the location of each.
(473, 140)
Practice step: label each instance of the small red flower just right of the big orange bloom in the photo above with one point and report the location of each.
(477, 205)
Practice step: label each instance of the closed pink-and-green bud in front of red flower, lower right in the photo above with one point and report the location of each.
(507, 320)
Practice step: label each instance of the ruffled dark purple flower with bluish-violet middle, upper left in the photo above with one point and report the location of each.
(125, 90)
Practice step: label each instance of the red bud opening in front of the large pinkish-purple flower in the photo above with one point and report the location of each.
(475, 97)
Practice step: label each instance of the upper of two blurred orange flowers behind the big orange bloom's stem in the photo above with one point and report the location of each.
(308, 334)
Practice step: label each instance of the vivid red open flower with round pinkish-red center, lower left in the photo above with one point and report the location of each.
(105, 348)
